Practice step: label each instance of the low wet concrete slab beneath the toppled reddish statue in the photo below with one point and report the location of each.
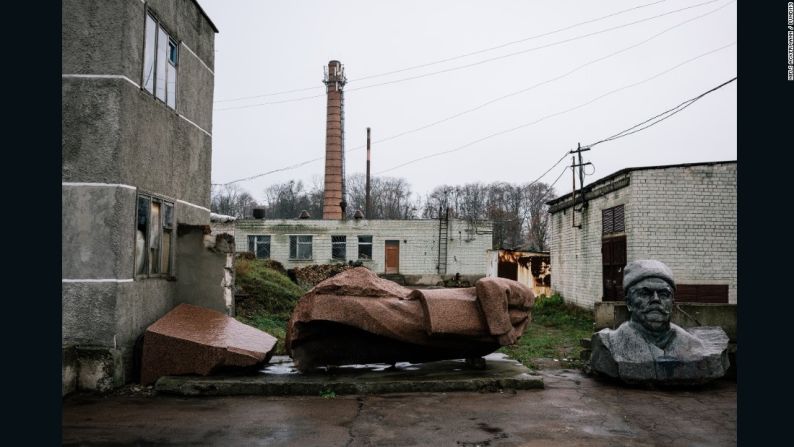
(280, 378)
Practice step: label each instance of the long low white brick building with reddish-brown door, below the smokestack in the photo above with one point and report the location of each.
(407, 247)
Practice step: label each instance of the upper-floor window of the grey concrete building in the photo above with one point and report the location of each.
(160, 58)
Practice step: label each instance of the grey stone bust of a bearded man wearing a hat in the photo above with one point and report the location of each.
(649, 348)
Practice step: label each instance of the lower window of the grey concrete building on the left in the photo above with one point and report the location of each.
(154, 236)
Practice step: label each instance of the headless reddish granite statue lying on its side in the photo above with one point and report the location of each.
(356, 317)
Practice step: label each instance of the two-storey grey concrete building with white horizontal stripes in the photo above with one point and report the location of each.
(137, 93)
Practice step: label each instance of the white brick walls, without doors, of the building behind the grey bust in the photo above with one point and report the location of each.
(684, 216)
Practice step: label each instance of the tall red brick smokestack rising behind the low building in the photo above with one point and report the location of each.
(334, 203)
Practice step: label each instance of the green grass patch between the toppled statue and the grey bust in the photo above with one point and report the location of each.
(554, 332)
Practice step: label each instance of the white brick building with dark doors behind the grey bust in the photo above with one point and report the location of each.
(683, 215)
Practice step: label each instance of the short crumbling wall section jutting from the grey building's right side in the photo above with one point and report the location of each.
(202, 270)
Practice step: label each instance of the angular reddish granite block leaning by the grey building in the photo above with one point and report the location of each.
(195, 340)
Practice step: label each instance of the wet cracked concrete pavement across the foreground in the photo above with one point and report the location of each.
(573, 409)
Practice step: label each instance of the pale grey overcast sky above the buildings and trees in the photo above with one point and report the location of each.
(553, 71)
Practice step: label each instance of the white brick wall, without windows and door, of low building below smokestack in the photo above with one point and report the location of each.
(466, 249)
